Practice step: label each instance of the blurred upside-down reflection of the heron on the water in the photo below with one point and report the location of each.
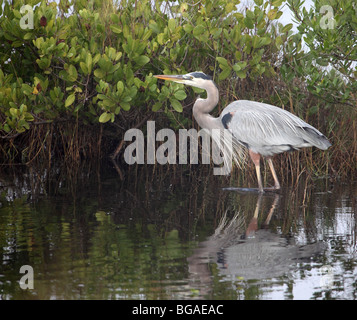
(247, 251)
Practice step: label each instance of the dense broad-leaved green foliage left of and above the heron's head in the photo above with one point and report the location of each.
(95, 60)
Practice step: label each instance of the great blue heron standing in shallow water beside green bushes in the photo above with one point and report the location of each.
(263, 129)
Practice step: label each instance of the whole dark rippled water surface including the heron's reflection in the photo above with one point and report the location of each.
(178, 235)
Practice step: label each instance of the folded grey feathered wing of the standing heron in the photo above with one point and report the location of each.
(268, 130)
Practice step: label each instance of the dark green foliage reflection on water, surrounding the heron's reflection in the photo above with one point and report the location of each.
(130, 241)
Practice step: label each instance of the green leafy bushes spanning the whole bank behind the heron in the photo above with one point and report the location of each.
(88, 63)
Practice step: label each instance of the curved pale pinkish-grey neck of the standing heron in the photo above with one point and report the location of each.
(202, 107)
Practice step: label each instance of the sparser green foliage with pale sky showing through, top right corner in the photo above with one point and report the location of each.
(328, 64)
